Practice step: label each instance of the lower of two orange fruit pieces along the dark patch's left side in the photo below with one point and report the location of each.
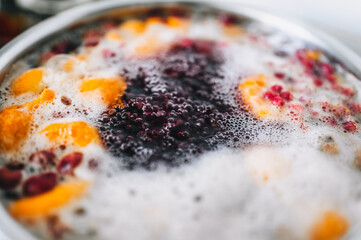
(78, 133)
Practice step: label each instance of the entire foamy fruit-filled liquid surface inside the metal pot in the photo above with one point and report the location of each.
(182, 127)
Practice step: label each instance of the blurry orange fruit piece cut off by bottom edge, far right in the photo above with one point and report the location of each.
(330, 226)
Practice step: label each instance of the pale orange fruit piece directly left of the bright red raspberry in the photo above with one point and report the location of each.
(251, 89)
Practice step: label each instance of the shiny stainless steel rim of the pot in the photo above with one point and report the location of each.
(9, 228)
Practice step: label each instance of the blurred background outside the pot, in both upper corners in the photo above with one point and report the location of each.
(340, 18)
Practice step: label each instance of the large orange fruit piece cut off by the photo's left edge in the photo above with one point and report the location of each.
(14, 127)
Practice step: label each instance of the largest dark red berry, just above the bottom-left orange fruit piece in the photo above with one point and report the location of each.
(39, 184)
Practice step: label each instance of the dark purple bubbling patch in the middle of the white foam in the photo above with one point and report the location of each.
(171, 117)
